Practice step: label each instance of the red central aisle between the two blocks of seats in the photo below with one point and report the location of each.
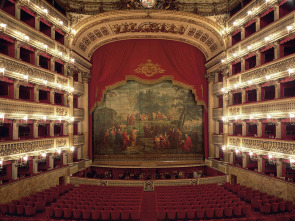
(148, 207)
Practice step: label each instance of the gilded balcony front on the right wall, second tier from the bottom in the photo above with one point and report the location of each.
(279, 108)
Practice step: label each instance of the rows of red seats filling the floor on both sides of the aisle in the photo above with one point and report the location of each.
(231, 202)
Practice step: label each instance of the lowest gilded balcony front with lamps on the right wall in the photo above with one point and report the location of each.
(262, 145)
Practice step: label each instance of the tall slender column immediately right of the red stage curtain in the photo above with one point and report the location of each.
(210, 117)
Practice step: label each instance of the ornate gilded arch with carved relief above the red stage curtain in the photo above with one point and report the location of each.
(100, 29)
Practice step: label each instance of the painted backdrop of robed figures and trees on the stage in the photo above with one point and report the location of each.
(148, 119)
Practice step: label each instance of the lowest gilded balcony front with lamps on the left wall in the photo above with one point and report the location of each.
(10, 148)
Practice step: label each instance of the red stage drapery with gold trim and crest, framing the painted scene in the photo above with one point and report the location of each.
(115, 63)
